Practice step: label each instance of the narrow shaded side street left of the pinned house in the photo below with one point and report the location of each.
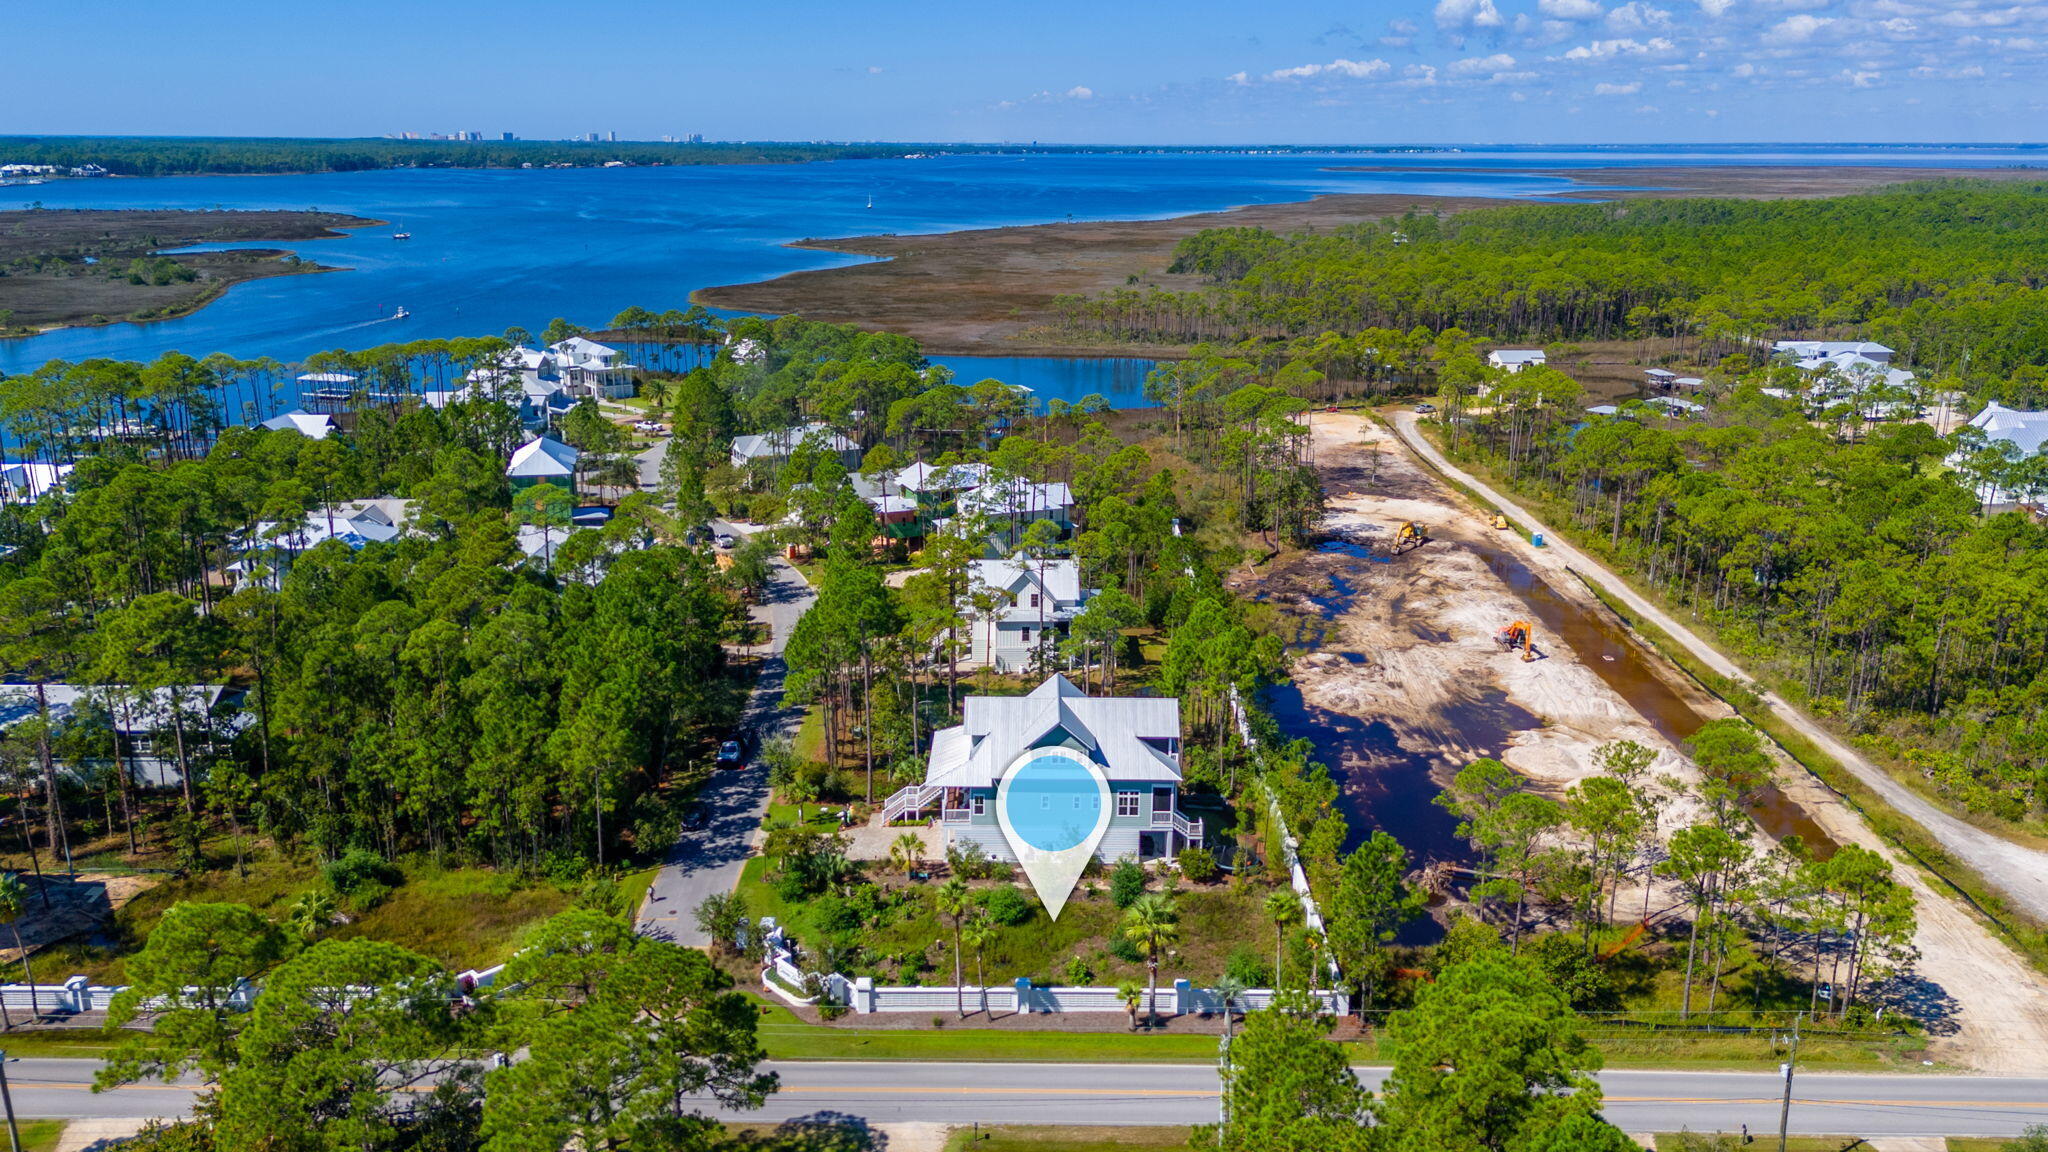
(710, 860)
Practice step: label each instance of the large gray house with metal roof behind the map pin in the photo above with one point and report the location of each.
(1136, 741)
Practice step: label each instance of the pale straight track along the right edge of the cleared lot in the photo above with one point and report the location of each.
(2016, 870)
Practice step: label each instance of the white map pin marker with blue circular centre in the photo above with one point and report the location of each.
(1054, 807)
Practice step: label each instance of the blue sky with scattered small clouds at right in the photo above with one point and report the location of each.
(1103, 71)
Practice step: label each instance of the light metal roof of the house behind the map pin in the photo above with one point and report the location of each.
(1111, 731)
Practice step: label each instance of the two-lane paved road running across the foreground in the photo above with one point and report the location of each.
(1187, 1094)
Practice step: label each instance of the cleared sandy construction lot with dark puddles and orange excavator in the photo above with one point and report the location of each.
(1408, 671)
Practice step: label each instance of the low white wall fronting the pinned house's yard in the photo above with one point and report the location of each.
(783, 979)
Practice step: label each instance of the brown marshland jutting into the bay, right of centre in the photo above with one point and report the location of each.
(990, 292)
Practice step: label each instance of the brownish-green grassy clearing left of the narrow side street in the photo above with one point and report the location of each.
(464, 917)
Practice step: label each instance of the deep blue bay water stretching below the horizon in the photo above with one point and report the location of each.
(493, 249)
